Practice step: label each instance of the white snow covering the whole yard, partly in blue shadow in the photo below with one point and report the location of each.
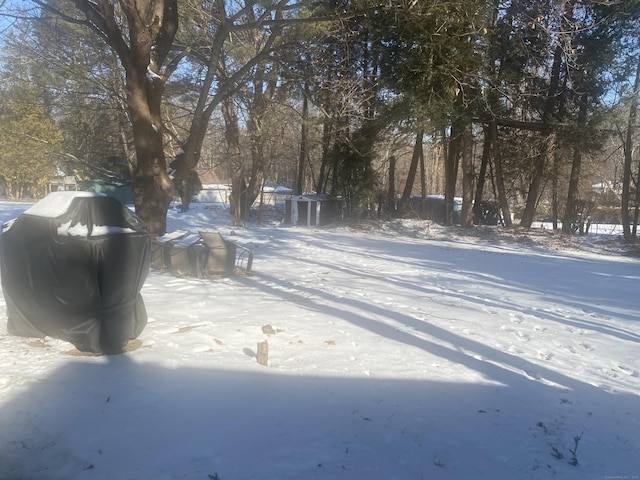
(401, 350)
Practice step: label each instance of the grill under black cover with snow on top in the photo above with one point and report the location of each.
(72, 267)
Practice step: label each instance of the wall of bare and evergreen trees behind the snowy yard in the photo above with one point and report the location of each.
(519, 107)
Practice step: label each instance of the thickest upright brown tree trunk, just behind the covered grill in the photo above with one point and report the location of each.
(150, 28)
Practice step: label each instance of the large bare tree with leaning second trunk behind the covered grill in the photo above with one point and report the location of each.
(142, 34)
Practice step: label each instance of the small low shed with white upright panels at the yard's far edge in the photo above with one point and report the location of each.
(312, 210)
